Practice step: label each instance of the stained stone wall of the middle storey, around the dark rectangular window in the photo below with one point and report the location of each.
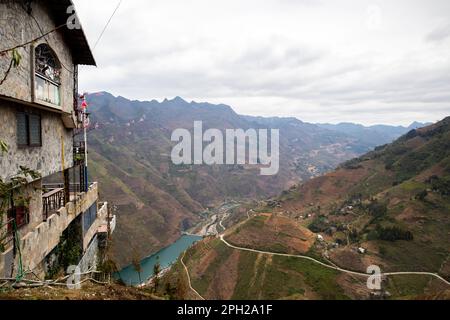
(47, 159)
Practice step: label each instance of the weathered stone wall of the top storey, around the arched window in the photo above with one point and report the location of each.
(17, 27)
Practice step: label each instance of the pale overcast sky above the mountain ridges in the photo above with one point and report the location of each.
(320, 61)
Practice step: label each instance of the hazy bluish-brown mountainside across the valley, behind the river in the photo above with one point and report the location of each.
(130, 155)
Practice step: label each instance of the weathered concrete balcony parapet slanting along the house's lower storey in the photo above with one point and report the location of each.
(40, 242)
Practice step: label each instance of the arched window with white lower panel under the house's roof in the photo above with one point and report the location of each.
(47, 75)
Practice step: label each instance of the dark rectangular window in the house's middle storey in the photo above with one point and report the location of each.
(29, 131)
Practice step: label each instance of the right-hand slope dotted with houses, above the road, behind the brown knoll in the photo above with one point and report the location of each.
(397, 192)
